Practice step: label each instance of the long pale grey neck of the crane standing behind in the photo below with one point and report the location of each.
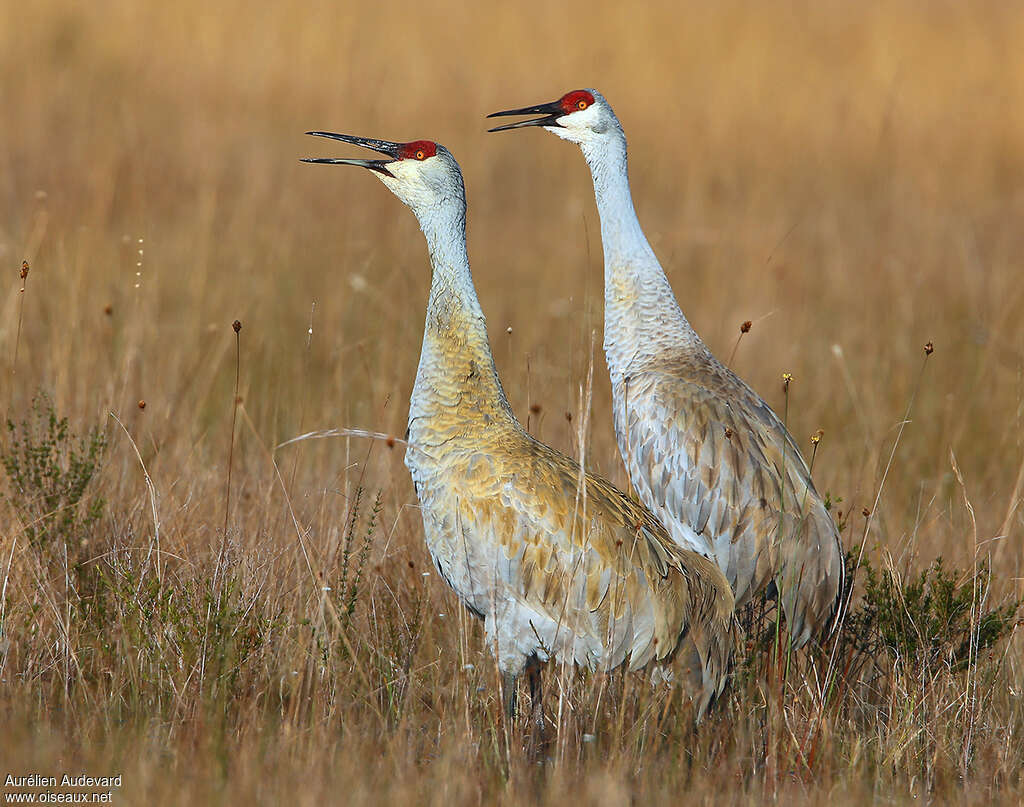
(643, 319)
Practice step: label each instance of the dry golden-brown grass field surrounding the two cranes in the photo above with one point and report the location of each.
(849, 178)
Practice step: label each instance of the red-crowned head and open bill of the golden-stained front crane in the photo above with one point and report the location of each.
(421, 174)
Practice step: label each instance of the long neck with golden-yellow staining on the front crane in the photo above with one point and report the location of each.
(457, 390)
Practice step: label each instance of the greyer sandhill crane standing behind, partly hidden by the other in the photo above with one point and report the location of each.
(705, 452)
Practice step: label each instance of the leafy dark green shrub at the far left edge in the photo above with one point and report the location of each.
(50, 471)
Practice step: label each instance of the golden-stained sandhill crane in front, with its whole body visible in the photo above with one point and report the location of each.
(559, 564)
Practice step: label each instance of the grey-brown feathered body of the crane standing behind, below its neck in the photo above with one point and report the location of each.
(720, 470)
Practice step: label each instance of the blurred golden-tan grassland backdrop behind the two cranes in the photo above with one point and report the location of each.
(849, 178)
